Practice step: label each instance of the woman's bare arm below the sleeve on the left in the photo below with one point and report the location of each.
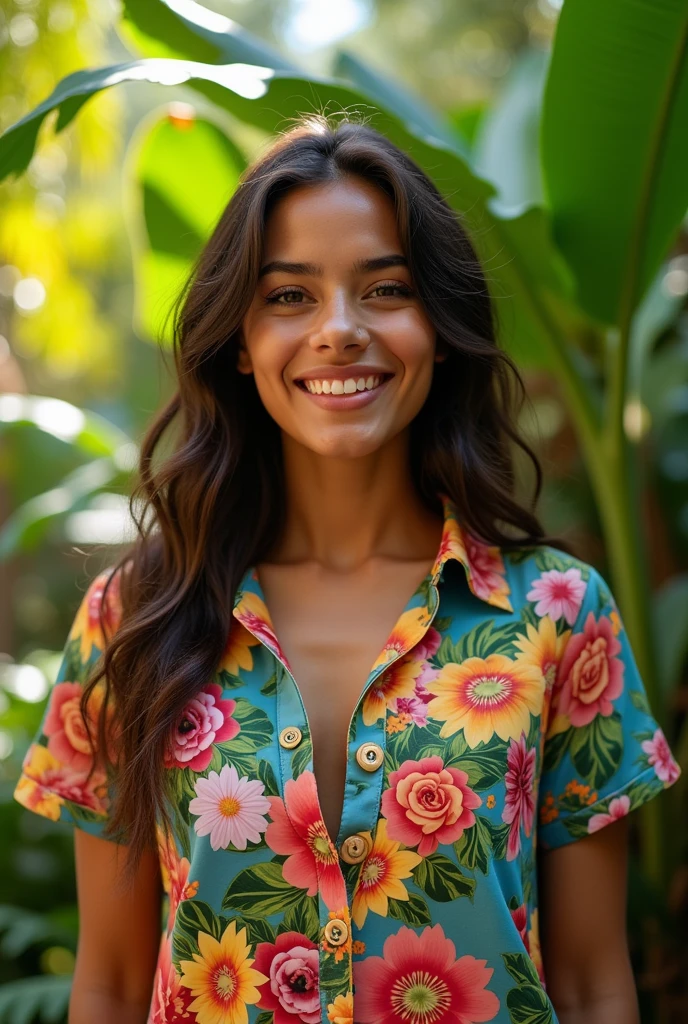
(119, 935)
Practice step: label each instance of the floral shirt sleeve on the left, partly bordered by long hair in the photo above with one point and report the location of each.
(62, 777)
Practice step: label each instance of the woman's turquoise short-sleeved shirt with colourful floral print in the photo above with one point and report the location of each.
(505, 713)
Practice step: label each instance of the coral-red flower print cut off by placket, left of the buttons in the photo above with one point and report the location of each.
(298, 831)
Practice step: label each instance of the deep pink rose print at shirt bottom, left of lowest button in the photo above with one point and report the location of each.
(291, 964)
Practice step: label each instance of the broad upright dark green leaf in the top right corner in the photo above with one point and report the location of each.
(615, 145)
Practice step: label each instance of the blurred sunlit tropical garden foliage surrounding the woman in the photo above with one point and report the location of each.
(561, 134)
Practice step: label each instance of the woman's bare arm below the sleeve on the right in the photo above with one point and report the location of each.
(583, 912)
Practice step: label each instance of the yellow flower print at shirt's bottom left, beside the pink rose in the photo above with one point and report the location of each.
(222, 978)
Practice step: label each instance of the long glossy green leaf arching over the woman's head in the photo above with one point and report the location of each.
(270, 100)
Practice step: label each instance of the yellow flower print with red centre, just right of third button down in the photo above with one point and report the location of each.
(381, 876)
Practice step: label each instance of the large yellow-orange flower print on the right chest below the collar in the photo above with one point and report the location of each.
(495, 696)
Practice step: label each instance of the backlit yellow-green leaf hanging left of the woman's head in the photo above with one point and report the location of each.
(173, 217)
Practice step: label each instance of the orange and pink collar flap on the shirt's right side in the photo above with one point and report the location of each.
(486, 572)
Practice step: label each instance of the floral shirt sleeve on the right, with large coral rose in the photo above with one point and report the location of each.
(605, 754)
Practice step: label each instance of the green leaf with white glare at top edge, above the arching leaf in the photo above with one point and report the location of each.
(186, 29)
